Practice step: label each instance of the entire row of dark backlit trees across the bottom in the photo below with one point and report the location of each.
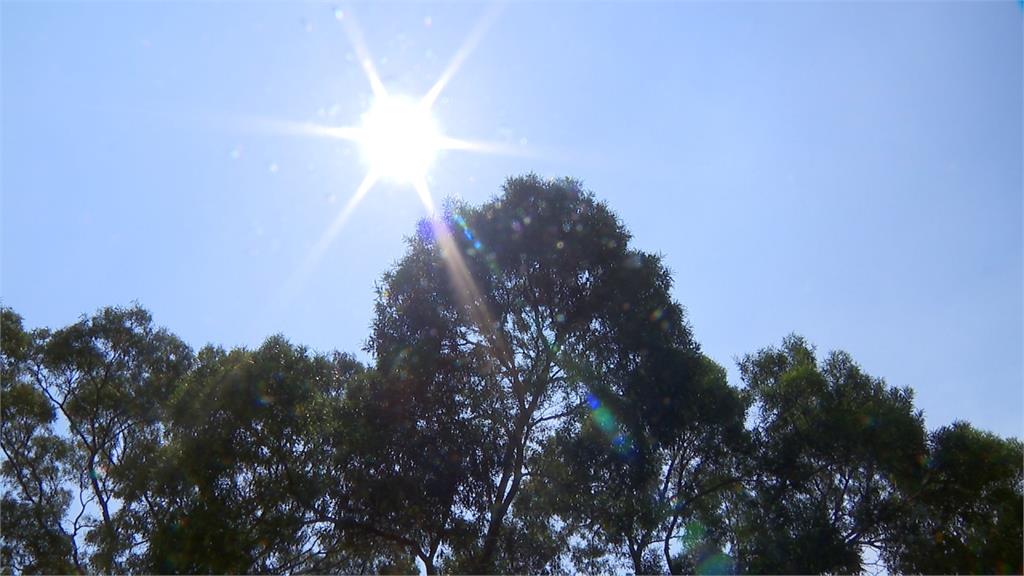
(537, 403)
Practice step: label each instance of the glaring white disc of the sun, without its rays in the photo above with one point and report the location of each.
(400, 139)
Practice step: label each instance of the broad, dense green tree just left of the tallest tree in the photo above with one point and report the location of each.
(244, 484)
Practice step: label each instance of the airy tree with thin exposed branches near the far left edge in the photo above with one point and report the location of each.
(107, 377)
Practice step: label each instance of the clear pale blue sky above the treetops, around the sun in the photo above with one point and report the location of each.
(848, 172)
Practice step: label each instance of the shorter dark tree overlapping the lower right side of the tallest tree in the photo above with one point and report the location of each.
(659, 501)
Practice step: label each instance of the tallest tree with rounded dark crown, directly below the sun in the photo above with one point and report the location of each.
(505, 319)
